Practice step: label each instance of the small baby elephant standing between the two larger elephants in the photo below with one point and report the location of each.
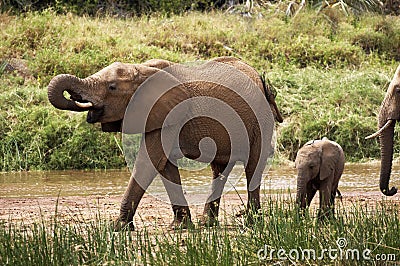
(319, 165)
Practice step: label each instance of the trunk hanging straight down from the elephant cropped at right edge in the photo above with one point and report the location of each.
(386, 143)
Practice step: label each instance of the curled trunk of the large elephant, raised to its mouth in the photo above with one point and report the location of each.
(72, 85)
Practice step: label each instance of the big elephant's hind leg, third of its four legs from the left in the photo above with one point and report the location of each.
(211, 208)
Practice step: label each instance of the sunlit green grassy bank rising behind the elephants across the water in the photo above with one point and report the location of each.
(330, 70)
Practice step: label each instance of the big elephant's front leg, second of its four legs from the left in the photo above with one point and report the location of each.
(172, 183)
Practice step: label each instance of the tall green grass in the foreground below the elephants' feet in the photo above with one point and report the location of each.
(279, 227)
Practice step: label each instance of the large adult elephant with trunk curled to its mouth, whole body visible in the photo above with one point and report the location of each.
(217, 112)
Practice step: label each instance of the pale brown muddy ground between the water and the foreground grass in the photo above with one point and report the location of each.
(152, 212)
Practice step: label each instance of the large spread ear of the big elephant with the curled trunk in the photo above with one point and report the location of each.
(152, 103)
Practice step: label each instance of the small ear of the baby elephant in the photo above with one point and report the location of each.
(330, 155)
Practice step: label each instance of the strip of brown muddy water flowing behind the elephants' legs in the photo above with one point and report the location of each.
(356, 177)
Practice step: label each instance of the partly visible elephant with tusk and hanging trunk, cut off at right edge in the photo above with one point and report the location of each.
(388, 115)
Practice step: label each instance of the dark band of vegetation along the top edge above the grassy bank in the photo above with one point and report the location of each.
(168, 7)
